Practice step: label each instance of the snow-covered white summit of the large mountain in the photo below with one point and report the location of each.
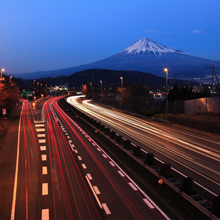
(146, 45)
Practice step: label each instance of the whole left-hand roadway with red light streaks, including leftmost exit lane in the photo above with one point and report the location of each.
(59, 172)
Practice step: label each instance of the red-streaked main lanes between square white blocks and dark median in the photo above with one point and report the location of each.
(85, 182)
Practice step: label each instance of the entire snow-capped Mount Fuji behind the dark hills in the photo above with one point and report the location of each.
(146, 56)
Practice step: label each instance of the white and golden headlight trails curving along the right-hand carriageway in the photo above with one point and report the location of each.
(177, 146)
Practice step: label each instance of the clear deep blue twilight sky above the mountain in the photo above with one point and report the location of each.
(54, 34)
